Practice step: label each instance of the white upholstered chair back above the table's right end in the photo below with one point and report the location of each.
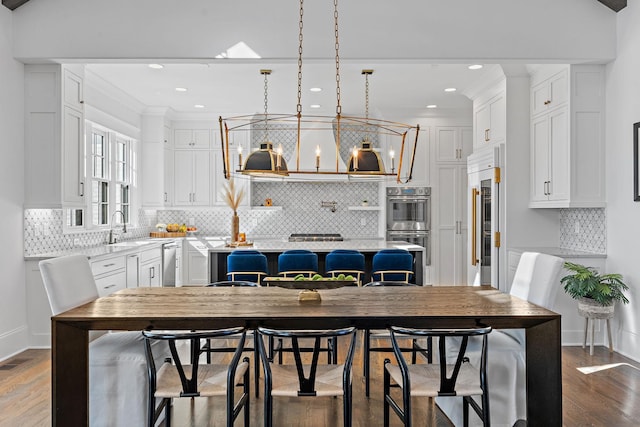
(536, 278)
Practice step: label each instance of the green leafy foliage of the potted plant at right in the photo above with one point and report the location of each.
(586, 282)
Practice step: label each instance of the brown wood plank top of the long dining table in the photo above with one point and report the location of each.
(374, 307)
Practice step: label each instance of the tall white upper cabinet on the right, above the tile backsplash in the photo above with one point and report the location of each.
(567, 137)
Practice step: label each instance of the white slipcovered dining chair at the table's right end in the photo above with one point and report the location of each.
(536, 280)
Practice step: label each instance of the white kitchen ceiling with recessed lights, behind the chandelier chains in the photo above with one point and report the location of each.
(396, 90)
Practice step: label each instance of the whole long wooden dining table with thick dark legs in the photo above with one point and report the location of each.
(372, 307)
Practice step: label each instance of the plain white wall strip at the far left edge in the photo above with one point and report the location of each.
(13, 308)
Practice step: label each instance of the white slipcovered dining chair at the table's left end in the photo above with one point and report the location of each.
(117, 362)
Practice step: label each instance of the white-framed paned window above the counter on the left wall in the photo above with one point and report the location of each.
(112, 169)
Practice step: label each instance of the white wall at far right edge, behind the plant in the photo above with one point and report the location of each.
(623, 214)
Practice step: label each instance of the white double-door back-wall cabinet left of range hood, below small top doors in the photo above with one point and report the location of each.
(192, 177)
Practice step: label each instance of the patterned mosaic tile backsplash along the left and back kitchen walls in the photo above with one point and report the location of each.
(297, 211)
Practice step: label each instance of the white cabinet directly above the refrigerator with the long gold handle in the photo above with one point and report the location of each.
(490, 121)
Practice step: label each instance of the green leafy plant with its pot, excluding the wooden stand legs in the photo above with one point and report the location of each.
(596, 293)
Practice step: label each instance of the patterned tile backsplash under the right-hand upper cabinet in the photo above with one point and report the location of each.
(584, 229)
